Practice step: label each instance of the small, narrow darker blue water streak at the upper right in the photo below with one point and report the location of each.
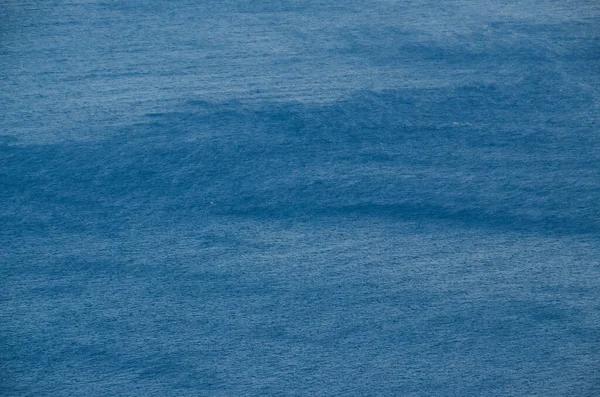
(494, 45)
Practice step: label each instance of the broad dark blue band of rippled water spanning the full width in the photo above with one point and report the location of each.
(451, 155)
